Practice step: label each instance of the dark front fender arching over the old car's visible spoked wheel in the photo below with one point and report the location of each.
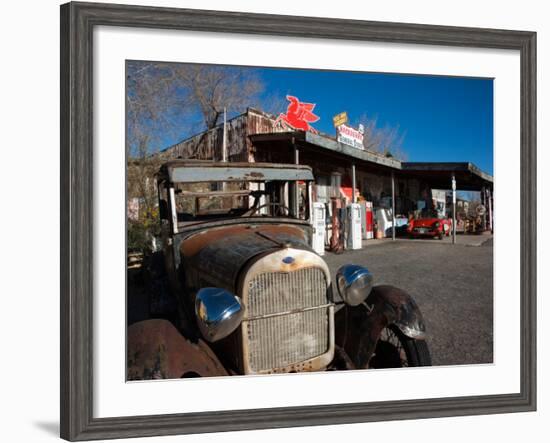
(359, 327)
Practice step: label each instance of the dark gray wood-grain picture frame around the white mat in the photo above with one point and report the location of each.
(77, 23)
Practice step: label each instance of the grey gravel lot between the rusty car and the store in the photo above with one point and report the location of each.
(453, 285)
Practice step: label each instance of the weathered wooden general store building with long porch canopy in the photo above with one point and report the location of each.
(255, 136)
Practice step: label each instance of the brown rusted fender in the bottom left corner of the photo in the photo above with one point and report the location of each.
(156, 350)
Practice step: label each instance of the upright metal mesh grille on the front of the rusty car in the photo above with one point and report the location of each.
(279, 341)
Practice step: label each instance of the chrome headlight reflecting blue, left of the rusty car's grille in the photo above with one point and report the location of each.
(219, 313)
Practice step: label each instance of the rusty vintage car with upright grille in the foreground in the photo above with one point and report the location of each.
(252, 295)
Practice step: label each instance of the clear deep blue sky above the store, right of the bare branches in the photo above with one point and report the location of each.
(443, 118)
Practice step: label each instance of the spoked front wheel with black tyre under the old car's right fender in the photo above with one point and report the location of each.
(396, 350)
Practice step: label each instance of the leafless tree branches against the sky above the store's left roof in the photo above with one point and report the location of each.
(166, 101)
